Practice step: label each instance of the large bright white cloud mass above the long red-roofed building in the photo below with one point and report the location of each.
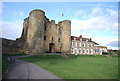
(100, 18)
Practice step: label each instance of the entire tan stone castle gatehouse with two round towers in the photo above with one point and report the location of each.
(41, 35)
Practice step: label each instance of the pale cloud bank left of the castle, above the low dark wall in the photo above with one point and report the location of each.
(11, 30)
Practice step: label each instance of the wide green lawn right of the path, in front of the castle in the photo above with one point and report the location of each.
(78, 67)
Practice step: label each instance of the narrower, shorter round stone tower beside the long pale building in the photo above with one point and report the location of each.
(66, 36)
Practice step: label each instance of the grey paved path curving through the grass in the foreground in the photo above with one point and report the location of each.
(26, 70)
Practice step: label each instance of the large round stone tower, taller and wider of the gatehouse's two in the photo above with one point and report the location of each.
(35, 37)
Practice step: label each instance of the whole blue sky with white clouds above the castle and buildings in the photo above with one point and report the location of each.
(96, 20)
